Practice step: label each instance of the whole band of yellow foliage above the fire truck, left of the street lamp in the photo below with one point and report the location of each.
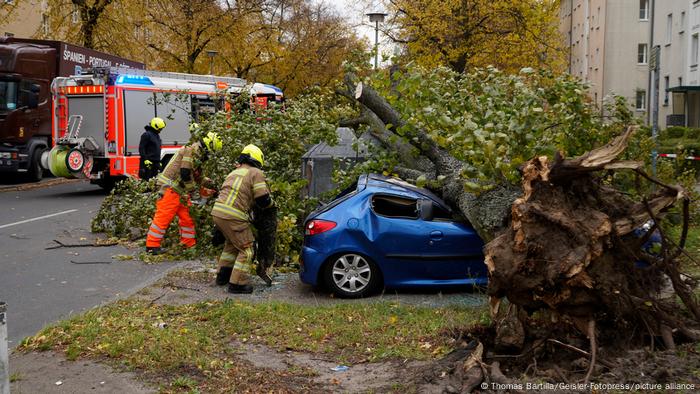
(289, 43)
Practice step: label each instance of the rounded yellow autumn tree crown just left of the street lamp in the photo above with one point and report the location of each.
(291, 43)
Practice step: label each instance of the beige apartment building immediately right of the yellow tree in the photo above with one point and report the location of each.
(609, 47)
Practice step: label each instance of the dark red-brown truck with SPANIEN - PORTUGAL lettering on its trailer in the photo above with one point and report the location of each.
(27, 68)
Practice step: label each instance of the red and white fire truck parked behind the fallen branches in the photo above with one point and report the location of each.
(98, 117)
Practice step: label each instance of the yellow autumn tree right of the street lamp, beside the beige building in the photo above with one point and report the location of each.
(464, 34)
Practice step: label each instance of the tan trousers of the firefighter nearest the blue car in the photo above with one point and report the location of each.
(238, 249)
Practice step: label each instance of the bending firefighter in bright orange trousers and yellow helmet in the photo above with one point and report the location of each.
(178, 182)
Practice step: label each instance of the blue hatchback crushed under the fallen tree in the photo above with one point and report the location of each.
(386, 232)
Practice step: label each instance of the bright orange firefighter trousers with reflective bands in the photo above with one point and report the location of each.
(167, 207)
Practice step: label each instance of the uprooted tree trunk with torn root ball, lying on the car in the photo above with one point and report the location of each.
(563, 242)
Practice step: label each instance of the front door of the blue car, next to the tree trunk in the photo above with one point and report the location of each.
(452, 249)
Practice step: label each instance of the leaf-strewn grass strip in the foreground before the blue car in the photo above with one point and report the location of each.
(193, 346)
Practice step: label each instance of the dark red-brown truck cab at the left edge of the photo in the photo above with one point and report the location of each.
(26, 71)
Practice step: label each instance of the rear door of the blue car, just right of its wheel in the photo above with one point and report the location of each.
(397, 236)
